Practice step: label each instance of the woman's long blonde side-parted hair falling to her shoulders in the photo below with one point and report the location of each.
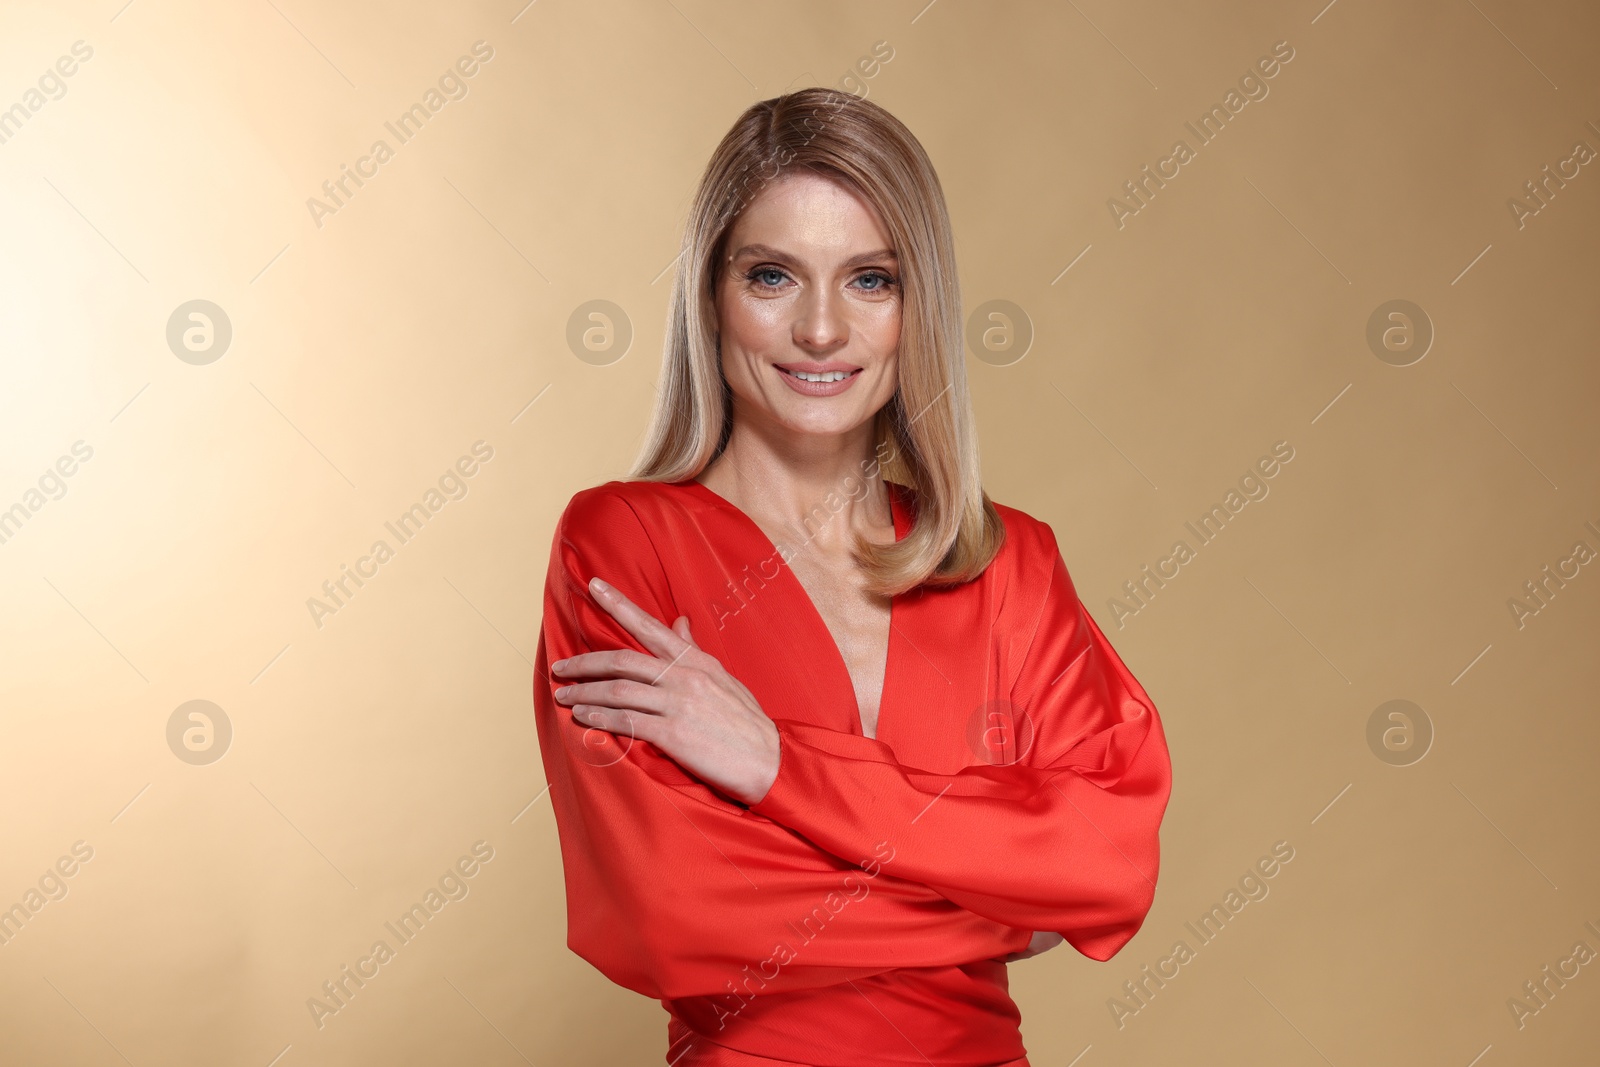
(926, 434)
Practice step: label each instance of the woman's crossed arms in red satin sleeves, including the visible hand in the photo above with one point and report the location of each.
(700, 836)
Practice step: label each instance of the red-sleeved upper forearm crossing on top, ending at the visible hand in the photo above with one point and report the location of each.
(1070, 849)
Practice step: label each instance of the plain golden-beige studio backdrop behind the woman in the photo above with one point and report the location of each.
(431, 311)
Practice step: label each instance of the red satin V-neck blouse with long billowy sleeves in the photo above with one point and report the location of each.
(855, 914)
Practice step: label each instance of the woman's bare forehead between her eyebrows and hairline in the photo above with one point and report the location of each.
(810, 215)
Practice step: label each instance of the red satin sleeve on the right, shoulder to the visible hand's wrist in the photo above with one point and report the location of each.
(1065, 839)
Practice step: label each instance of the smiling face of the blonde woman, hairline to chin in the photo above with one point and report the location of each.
(809, 310)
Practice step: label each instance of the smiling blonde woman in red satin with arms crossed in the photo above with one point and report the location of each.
(881, 749)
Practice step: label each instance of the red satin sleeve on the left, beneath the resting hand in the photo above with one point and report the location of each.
(674, 890)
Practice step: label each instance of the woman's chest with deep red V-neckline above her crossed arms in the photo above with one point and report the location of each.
(919, 674)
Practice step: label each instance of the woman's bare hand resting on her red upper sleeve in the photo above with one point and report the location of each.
(679, 700)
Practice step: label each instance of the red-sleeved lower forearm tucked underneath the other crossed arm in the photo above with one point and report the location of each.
(674, 892)
